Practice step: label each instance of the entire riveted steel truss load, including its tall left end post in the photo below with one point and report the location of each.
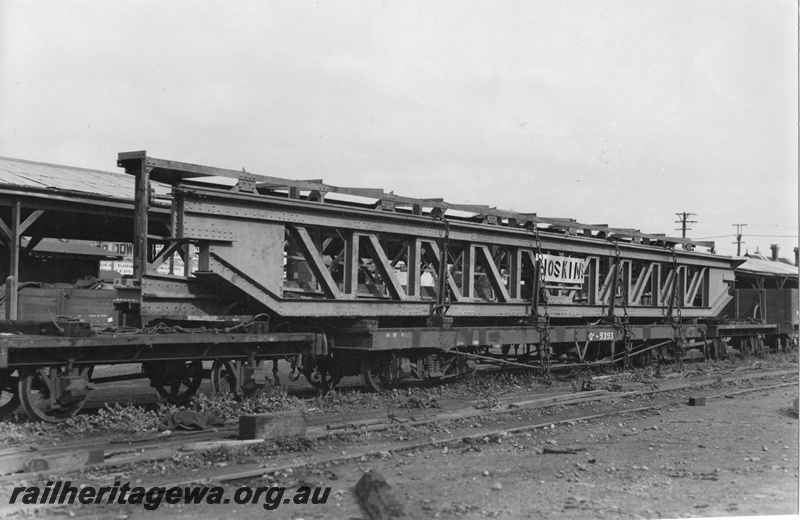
(301, 250)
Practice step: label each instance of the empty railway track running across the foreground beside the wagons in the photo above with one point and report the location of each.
(127, 452)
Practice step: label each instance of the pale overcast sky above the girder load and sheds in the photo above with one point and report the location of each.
(618, 112)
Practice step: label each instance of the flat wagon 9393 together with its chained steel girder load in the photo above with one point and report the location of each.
(408, 288)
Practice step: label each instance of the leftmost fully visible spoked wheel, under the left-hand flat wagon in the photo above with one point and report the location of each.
(35, 390)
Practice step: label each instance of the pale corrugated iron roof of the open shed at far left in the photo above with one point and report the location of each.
(19, 172)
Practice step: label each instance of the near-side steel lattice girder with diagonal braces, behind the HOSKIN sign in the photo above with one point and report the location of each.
(245, 241)
